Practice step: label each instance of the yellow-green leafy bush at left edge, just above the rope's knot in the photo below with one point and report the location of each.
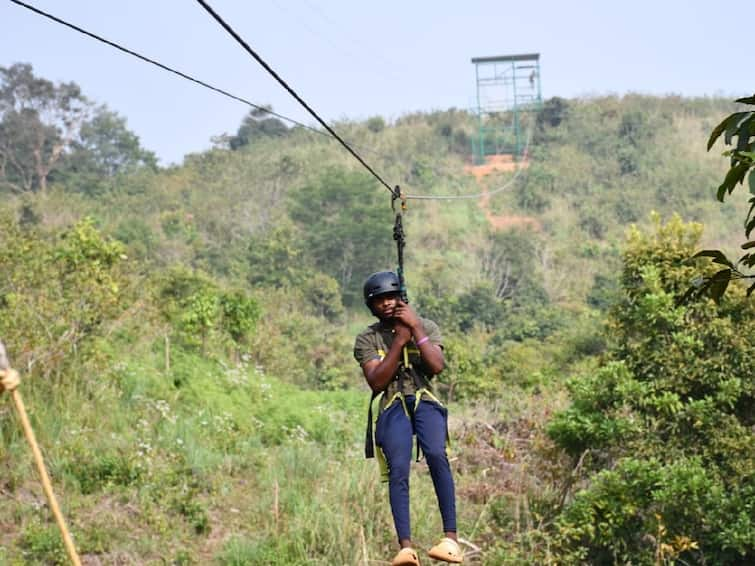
(57, 291)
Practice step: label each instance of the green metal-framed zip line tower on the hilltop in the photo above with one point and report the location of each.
(508, 93)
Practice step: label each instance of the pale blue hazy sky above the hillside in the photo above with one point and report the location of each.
(353, 59)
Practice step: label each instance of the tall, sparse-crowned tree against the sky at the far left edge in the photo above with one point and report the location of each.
(38, 122)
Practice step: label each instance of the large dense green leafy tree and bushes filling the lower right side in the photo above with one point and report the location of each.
(663, 431)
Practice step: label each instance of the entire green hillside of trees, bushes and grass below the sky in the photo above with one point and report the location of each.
(184, 335)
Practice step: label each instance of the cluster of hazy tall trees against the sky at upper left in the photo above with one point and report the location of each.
(52, 132)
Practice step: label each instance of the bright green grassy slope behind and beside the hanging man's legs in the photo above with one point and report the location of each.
(232, 466)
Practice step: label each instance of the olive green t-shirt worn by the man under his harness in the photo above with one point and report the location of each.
(376, 340)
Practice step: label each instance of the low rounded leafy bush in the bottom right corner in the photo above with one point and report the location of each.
(648, 512)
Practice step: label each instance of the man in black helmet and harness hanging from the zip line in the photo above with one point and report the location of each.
(399, 355)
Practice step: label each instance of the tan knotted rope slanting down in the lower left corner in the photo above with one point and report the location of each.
(10, 380)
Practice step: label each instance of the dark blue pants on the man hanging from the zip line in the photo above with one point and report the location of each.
(394, 436)
